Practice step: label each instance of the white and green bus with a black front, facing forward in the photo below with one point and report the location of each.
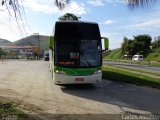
(76, 52)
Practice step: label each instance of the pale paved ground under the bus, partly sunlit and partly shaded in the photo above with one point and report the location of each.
(30, 83)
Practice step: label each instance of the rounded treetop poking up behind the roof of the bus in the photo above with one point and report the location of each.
(68, 16)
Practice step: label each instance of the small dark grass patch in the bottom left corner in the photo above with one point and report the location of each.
(9, 111)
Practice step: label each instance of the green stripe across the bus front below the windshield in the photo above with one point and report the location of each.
(77, 71)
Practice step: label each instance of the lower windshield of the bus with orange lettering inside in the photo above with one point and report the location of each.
(86, 53)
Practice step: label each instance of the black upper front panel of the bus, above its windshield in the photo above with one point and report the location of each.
(76, 30)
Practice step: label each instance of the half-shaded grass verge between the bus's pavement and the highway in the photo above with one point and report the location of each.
(112, 73)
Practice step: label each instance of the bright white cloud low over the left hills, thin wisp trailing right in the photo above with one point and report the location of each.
(12, 31)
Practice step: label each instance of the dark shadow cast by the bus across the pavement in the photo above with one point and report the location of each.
(122, 95)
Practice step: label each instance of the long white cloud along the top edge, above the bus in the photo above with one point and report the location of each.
(49, 7)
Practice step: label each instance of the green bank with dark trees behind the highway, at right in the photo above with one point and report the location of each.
(138, 45)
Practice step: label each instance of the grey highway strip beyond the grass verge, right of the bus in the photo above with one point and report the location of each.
(134, 66)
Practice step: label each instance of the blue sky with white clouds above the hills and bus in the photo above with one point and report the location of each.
(114, 17)
